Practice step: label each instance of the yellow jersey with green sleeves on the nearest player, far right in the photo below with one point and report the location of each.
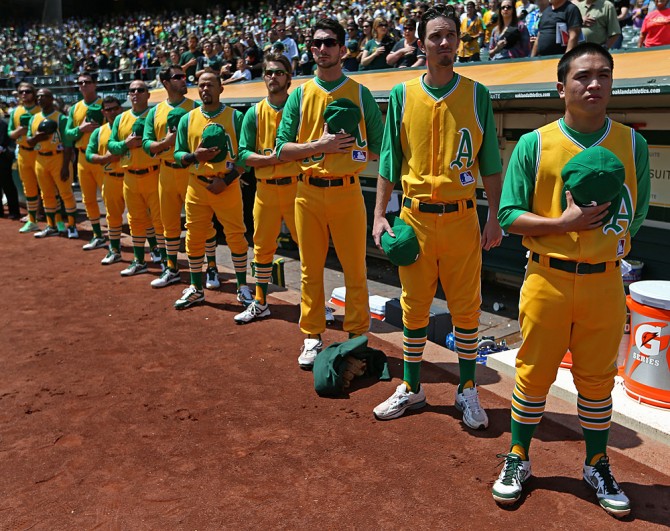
(533, 183)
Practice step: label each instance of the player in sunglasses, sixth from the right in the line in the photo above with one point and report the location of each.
(172, 180)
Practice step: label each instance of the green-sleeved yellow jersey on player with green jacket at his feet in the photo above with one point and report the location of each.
(303, 122)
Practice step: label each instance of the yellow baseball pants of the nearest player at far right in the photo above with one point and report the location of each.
(560, 311)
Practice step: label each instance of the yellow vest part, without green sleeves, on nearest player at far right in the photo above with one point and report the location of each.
(606, 243)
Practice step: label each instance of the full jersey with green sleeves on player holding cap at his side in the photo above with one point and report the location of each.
(437, 141)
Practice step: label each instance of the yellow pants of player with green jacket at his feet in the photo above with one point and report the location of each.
(338, 213)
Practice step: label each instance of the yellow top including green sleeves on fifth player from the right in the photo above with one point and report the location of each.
(189, 134)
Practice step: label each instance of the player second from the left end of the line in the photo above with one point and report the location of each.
(52, 164)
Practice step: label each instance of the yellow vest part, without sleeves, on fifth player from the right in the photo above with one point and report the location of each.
(197, 122)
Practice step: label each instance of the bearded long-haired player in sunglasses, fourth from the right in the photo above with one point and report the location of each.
(276, 182)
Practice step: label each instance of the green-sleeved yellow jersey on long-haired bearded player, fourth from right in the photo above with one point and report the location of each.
(259, 135)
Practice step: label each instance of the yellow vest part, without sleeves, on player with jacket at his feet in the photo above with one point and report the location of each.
(313, 105)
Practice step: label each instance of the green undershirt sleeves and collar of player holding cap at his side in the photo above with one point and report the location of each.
(390, 163)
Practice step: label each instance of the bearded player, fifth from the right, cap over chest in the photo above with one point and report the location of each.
(213, 187)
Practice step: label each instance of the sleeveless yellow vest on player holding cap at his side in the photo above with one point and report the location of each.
(440, 141)
